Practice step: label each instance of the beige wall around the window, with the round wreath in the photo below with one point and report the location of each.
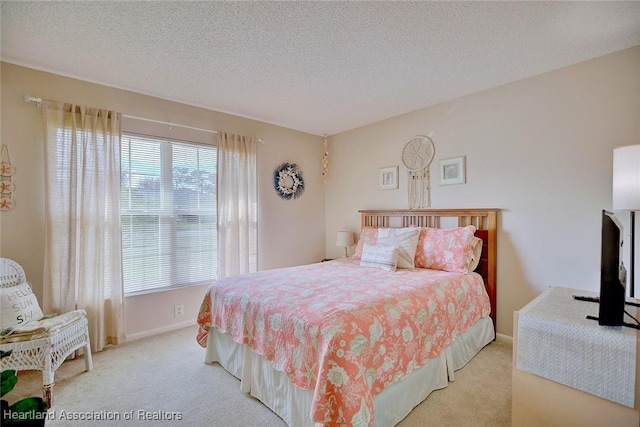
(290, 232)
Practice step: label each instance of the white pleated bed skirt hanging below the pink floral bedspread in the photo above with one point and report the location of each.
(293, 404)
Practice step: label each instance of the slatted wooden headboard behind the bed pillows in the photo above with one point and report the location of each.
(485, 220)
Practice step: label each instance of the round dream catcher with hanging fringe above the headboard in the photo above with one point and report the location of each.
(417, 154)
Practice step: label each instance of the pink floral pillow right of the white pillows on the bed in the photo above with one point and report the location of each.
(447, 249)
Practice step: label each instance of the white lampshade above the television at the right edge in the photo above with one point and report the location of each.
(626, 178)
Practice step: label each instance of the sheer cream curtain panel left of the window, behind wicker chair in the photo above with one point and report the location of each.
(82, 210)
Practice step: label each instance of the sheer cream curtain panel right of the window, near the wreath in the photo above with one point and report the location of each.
(237, 205)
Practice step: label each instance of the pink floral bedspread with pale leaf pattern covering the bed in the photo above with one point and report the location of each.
(343, 330)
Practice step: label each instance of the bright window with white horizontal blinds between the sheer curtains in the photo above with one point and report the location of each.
(168, 213)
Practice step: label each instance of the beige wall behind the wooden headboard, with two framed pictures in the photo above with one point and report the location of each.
(540, 149)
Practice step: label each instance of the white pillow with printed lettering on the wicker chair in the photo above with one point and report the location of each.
(18, 304)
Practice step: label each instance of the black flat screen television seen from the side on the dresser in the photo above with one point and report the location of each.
(612, 273)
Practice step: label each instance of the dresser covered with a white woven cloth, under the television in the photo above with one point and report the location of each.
(570, 371)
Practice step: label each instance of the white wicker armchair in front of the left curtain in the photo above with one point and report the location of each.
(45, 351)
